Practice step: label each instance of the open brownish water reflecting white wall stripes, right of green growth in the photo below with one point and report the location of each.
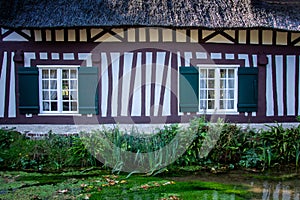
(282, 185)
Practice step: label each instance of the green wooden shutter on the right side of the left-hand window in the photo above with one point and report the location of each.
(88, 90)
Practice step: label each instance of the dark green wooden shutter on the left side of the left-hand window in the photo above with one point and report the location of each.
(28, 82)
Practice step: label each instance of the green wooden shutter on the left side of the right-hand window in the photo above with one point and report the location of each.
(189, 89)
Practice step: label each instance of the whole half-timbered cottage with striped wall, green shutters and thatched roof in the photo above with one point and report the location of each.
(138, 71)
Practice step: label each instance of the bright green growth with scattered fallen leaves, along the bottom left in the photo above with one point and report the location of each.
(101, 185)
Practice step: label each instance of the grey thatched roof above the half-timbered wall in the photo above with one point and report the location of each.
(280, 14)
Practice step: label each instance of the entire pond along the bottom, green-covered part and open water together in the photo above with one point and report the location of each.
(100, 184)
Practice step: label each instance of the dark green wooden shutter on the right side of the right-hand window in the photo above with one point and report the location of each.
(247, 89)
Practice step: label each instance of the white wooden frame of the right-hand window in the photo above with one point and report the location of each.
(217, 89)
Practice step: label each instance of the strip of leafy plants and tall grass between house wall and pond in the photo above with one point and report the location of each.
(216, 147)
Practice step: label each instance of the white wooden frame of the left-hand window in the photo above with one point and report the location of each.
(59, 69)
